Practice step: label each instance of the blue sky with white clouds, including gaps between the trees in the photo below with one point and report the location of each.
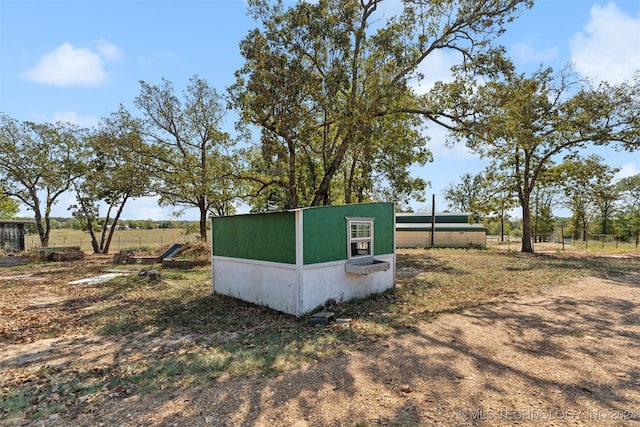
(78, 60)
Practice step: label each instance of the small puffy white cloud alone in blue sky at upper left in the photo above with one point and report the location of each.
(71, 66)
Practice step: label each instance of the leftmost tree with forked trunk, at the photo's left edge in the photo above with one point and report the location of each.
(38, 163)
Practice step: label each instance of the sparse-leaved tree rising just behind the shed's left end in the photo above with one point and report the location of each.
(188, 156)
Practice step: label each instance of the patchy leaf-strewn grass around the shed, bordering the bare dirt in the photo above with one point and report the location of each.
(174, 333)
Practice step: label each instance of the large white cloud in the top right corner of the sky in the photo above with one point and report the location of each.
(609, 47)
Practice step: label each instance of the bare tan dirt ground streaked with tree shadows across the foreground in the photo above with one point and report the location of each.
(569, 355)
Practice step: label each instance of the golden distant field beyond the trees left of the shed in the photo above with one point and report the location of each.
(122, 239)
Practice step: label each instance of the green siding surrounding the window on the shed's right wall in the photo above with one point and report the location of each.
(325, 230)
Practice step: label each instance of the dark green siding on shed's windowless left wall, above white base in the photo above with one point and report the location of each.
(264, 237)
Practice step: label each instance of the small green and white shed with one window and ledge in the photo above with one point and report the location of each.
(295, 261)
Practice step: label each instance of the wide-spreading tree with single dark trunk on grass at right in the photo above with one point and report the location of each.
(524, 123)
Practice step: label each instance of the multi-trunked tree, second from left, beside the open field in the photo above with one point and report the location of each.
(112, 178)
